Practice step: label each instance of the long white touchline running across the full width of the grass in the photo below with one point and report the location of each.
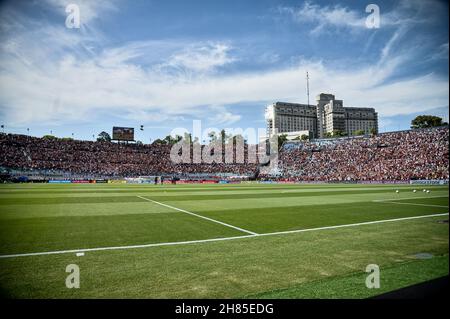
(218, 239)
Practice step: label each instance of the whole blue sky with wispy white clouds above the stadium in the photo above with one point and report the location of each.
(162, 64)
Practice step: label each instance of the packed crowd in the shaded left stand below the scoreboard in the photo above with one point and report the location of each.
(102, 158)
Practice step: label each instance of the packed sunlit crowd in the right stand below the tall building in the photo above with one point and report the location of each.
(415, 154)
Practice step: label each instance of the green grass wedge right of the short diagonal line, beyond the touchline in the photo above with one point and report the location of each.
(273, 216)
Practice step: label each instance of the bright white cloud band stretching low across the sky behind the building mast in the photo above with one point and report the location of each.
(73, 90)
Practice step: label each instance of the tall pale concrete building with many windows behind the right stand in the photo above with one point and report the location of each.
(327, 116)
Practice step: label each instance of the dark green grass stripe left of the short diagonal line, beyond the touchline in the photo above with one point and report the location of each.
(67, 233)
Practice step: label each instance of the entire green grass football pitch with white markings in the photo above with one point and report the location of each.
(233, 241)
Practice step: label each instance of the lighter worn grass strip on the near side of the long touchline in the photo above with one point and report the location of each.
(226, 269)
